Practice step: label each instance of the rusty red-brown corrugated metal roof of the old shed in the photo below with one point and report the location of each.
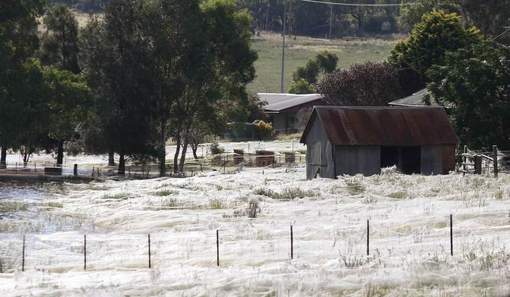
(388, 126)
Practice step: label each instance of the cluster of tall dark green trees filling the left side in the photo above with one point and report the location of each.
(145, 72)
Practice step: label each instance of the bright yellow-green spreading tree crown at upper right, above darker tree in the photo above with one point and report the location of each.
(438, 33)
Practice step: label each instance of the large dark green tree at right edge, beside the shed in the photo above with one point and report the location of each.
(473, 85)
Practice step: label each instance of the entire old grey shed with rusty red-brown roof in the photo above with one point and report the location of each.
(361, 140)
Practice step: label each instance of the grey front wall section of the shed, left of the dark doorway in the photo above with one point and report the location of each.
(352, 160)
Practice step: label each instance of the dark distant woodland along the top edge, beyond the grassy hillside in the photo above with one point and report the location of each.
(313, 19)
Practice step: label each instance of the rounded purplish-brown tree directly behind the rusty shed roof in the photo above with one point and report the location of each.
(362, 84)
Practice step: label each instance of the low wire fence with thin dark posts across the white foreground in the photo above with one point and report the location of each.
(97, 252)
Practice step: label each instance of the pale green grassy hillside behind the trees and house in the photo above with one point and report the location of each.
(301, 49)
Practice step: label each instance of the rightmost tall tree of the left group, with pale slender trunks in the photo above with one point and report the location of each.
(226, 67)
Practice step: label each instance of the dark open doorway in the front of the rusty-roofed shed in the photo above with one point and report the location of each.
(407, 159)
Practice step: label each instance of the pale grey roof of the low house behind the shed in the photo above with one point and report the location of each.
(277, 102)
